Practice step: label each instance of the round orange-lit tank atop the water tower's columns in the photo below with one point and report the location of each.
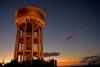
(30, 13)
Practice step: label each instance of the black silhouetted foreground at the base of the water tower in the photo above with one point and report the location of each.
(34, 63)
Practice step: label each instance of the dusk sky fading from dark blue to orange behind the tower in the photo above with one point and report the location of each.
(65, 18)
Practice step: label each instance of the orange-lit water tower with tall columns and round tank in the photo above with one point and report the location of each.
(30, 22)
